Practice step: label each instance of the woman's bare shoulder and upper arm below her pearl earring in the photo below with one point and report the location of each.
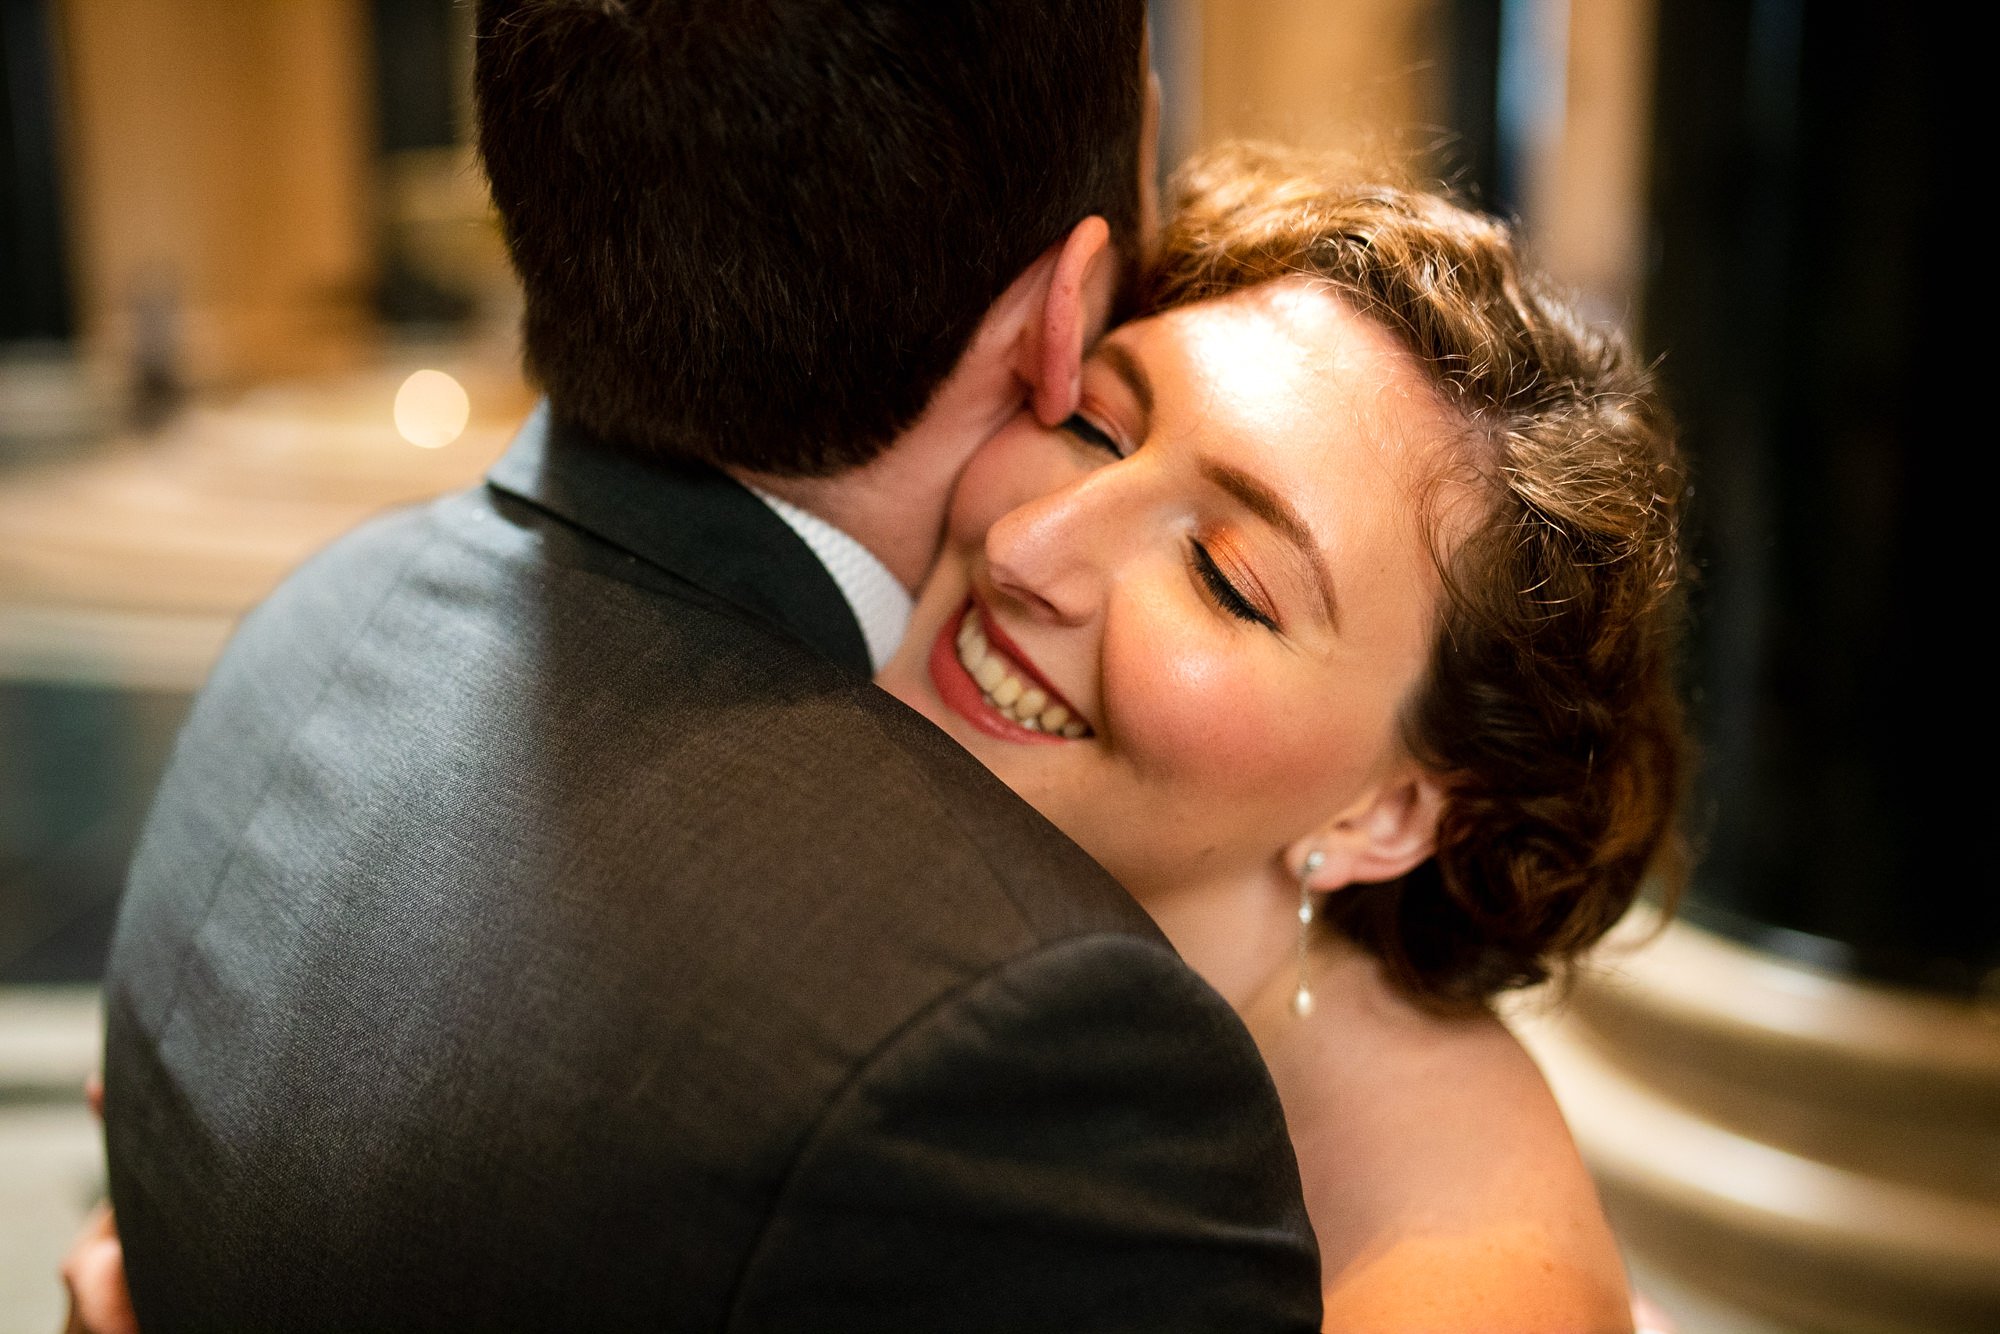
(1443, 1181)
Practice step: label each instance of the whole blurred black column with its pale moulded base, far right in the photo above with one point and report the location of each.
(1793, 1097)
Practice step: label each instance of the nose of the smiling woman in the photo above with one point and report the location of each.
(1053, 553)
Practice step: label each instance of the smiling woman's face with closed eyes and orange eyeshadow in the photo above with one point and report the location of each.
(1183, 625)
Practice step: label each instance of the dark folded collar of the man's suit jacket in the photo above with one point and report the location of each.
(687, 519)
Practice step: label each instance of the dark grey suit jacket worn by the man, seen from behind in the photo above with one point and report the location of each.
(547, 925)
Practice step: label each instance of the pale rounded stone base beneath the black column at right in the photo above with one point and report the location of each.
(1811, 1151)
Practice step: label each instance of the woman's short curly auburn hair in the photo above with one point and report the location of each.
(1549, 705)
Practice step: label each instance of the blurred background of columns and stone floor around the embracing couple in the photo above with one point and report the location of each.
(251, 293)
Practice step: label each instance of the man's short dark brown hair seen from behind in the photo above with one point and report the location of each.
(761, 233)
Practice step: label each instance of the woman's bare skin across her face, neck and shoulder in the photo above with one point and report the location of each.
(1441, 1177)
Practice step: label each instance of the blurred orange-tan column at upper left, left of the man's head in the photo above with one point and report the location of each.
(221, 189)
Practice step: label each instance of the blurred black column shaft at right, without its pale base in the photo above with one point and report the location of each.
(1801, 297)
